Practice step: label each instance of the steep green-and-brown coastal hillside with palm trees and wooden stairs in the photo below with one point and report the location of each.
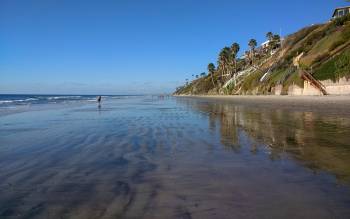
(276, 68)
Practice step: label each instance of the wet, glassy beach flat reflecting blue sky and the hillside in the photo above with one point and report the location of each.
(145, 157)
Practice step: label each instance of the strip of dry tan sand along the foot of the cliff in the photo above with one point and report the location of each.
(328, 104)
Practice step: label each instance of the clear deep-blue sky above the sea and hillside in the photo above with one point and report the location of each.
(132, 46)
